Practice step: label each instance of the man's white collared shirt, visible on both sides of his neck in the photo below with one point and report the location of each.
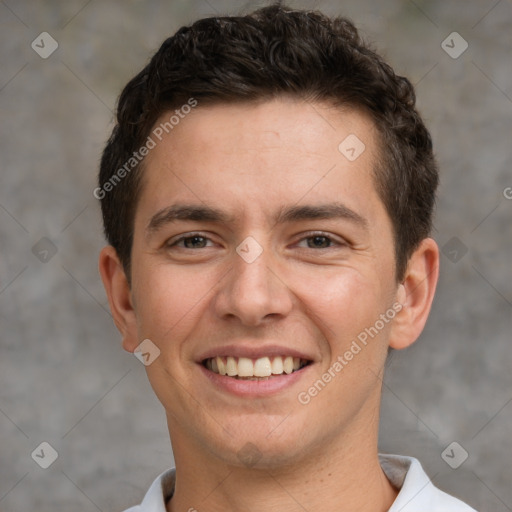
(417, 493)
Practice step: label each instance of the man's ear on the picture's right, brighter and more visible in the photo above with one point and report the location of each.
(416, 293)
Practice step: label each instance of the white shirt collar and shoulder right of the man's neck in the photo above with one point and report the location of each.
(417, 492)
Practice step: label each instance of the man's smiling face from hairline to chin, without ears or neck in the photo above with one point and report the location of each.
(318, 283)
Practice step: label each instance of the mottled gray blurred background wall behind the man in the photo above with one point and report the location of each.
(64, 378)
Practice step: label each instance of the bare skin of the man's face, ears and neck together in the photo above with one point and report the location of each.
(313, 295)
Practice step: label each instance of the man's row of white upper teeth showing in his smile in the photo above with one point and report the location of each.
(262, 367)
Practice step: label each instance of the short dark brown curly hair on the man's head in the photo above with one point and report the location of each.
(271, 52)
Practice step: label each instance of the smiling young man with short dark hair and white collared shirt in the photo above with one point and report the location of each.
(267, 194)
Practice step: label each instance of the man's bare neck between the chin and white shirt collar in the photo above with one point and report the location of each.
(344, 477)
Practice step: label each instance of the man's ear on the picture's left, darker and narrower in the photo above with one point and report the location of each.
(119, 296)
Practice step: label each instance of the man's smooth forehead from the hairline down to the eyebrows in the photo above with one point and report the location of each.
(254, 155)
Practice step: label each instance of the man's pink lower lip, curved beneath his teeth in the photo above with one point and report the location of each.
(254, 388)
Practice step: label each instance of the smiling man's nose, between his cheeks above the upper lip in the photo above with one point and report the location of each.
(253, 291)
